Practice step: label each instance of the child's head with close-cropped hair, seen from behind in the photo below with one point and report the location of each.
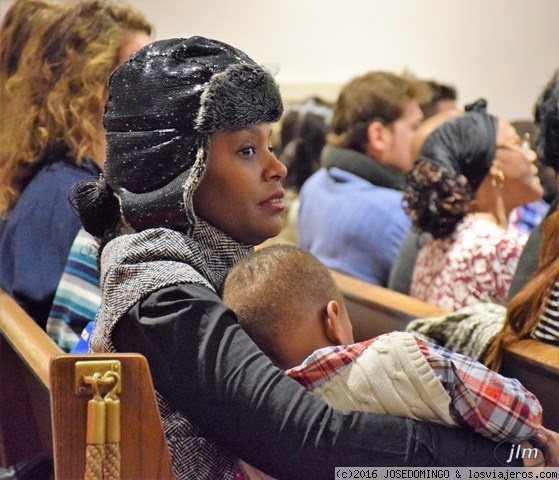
(288, 302)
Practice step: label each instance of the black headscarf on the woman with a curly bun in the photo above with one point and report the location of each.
(464, 145)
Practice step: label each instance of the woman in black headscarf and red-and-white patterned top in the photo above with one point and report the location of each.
(470, 173)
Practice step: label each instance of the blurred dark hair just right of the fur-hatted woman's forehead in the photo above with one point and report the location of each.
(302, 137)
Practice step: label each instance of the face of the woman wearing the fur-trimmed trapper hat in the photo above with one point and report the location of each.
(241, 192)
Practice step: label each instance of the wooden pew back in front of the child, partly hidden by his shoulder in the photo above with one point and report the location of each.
(374, 310)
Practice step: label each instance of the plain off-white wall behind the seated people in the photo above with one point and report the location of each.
(504, 50)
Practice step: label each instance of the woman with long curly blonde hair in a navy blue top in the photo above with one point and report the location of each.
(51, 136)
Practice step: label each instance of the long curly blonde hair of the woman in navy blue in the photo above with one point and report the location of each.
(55, 99)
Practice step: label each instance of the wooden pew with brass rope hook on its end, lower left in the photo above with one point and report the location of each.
(47, 412)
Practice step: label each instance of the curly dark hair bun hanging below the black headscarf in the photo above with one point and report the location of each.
(435, 199)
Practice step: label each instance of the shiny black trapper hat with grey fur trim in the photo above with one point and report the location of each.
(164, 102)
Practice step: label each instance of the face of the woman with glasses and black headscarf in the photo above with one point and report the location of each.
(522, 184)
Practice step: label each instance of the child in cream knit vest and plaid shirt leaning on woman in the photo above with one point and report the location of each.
(288, 303)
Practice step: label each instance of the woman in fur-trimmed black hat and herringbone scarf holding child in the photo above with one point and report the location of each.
(190, 187)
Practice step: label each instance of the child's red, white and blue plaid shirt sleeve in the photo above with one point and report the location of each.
(495, 406)
